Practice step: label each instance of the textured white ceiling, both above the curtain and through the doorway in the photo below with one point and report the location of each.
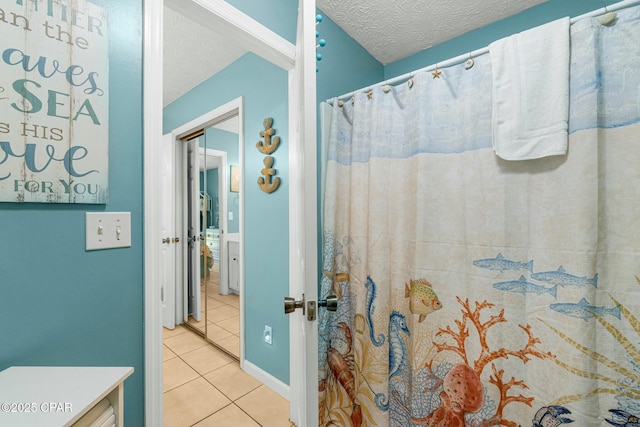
(388, 29)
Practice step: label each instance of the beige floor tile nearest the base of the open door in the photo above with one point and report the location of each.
(266, 406)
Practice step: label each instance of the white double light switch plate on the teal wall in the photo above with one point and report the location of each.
(106, 230)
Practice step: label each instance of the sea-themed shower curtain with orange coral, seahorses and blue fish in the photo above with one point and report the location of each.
(475, 291)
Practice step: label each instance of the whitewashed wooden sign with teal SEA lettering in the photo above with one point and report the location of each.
(54, 102)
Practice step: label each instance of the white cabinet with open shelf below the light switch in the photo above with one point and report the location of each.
(47, 396)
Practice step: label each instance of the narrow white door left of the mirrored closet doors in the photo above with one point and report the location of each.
(168, 232)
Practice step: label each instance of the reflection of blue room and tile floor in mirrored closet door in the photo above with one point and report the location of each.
(218, 148)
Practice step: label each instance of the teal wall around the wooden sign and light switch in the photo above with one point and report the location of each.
(61, 305)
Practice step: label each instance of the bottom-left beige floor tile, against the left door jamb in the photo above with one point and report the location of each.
(191, 403)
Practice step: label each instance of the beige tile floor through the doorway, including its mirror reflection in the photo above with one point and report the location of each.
(204, 387)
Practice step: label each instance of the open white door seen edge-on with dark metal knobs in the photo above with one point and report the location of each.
(303, 215)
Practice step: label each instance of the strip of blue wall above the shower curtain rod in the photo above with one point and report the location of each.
(480, 38)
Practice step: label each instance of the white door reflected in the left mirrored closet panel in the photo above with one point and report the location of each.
(194, 211)
